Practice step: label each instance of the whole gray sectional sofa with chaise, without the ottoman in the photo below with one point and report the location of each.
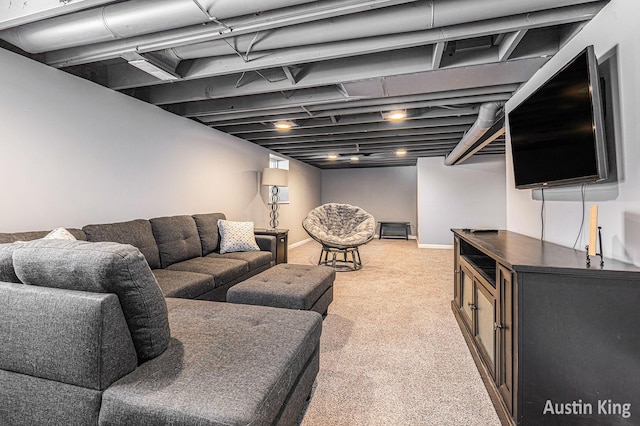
(90, 334)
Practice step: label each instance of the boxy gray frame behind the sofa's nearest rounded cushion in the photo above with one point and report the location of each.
(74, 337)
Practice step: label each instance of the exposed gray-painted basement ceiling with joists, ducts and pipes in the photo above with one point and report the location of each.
(333, 67)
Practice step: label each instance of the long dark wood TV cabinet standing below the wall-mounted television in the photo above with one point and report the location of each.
(556, 341)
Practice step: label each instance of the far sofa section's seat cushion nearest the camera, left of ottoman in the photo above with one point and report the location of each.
(188, 285)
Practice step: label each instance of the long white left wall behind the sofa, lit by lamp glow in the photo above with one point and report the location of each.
(75, 153)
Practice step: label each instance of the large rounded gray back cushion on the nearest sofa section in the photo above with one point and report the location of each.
(102, 267)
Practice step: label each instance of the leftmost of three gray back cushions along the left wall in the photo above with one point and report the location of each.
(136, 232)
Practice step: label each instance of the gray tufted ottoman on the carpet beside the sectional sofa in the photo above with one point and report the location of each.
(303, 287)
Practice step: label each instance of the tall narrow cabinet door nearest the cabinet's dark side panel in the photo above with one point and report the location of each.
(504, 327)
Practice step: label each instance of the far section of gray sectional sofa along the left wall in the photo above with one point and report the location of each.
(182, 251)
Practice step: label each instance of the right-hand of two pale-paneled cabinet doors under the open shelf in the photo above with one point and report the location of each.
(485, 316)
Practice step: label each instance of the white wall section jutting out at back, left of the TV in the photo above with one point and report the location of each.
(469, 195)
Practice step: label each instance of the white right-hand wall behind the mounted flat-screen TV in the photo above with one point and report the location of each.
(613, 32)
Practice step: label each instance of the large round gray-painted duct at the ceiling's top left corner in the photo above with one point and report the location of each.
(129, 19)
